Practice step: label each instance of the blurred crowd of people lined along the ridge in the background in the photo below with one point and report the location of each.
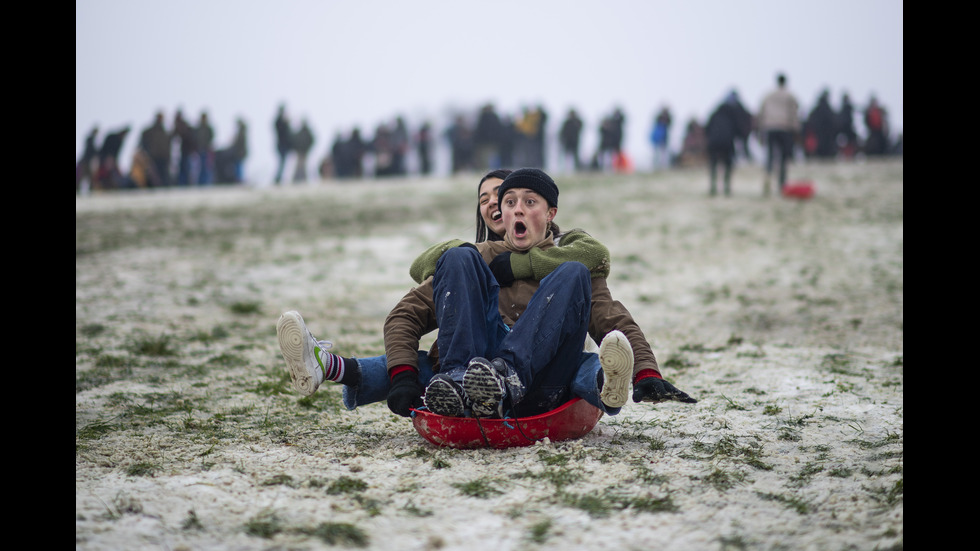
(185, 154)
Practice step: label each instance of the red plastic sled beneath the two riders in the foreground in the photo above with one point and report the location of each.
(571, 420)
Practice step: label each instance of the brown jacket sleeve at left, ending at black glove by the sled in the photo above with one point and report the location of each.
(411, 319)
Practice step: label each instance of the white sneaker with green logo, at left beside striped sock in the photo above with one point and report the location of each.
(302, 353)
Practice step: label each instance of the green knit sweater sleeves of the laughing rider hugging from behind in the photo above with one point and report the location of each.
(573, 245)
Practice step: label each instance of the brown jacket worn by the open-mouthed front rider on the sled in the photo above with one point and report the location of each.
(414, 315)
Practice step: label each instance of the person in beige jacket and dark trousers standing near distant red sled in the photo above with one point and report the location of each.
(778, 123)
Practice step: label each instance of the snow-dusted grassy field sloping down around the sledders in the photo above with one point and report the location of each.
(784, 318)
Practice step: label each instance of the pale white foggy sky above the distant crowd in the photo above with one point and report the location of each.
(360, 63)
